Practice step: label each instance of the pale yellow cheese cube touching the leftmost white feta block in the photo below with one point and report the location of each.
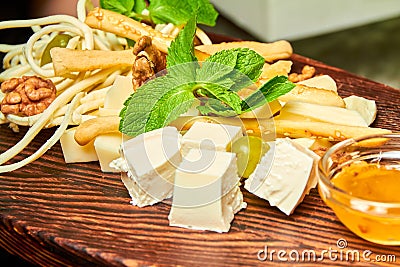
(107, 149)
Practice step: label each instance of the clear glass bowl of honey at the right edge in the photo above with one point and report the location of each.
(359, 179)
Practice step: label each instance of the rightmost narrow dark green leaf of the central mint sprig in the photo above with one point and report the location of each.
(268, 92)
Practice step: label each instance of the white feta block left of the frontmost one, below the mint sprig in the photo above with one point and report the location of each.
(150, 160)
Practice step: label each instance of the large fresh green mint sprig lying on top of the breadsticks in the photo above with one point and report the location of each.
(216, 83)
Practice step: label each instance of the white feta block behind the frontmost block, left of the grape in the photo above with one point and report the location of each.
(212, 136)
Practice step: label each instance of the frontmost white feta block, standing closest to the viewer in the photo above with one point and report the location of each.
(206, 191)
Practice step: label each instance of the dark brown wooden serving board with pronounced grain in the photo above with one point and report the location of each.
(58, 214)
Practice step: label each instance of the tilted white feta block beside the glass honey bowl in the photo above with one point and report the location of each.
(282, 176)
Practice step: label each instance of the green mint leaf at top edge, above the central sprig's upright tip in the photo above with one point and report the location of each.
(178, 12)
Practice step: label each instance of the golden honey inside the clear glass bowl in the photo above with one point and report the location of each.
(370, 207)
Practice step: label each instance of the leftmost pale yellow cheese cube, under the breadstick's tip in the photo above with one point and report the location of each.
(73, 152)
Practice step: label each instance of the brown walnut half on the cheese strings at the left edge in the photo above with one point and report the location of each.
(28, 95)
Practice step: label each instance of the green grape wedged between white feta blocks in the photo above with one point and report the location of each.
(248, 150)
